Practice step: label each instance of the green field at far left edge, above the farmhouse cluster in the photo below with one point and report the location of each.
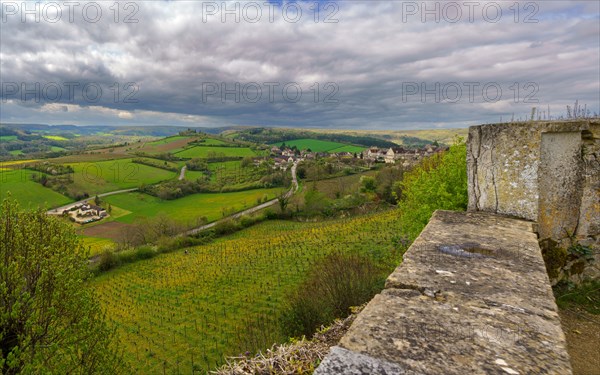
(28, 193)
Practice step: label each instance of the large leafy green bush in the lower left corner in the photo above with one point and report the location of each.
(50, 322)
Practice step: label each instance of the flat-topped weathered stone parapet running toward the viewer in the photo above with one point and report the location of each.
(471, 297)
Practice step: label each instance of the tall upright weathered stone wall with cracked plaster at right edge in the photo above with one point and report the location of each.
(548, 172)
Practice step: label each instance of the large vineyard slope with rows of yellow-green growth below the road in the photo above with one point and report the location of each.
(183, 312)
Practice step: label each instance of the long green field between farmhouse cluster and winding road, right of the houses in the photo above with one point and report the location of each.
(188, 209)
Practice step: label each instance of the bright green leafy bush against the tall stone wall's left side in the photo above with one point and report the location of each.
(437, 183)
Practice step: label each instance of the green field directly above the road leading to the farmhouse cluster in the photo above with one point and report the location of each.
(110, 175)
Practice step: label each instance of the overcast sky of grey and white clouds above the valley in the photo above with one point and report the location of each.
(327, 64)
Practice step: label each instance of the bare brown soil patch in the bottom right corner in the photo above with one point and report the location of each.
(582, 330)
